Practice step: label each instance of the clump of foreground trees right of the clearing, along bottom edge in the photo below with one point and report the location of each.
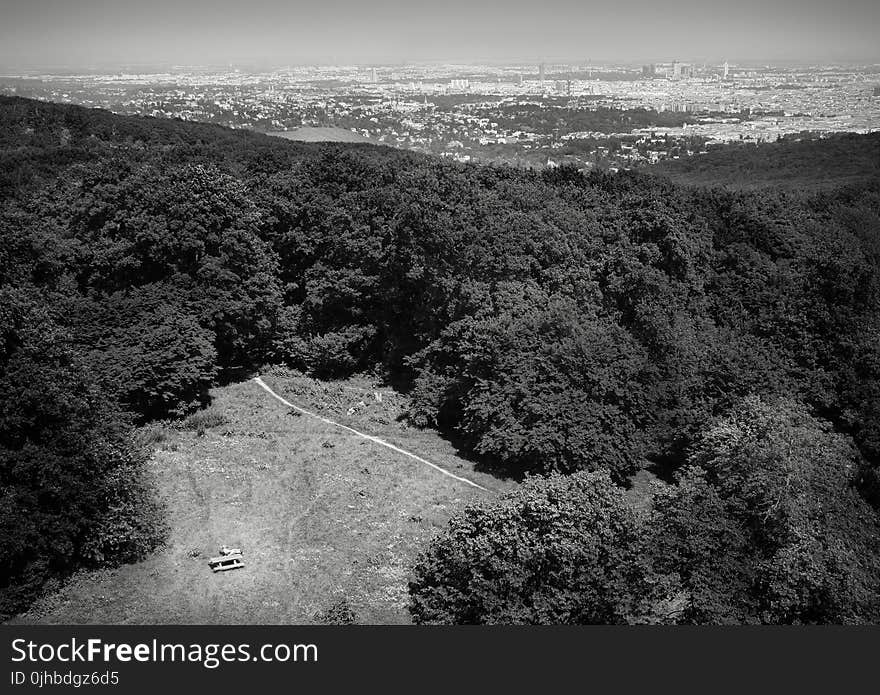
(763, 526)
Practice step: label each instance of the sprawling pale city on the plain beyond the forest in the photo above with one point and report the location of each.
(526, 115)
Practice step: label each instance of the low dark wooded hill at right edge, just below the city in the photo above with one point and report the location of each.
(835, 161)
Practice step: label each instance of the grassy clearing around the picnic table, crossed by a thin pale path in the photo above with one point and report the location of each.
(319, 513)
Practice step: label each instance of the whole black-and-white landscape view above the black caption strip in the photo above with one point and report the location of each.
(439, 314)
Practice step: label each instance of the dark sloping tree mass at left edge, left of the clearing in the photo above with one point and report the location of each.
(73, 484)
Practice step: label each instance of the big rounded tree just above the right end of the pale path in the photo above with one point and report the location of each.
(537, 384)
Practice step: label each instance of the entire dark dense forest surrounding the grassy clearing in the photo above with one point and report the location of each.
(563, 329)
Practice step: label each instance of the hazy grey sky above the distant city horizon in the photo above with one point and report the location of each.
(80, 33)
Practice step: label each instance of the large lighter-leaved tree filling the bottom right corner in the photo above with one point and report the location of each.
(766, 526)
